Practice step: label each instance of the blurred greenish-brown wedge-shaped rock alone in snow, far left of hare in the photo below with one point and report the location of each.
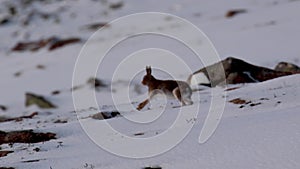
(40, 101)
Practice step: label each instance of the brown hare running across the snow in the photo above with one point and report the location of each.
(178, 89)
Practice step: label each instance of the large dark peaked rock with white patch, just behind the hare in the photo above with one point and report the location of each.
(233, 71)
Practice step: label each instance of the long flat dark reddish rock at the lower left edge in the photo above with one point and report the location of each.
(25, 136)
